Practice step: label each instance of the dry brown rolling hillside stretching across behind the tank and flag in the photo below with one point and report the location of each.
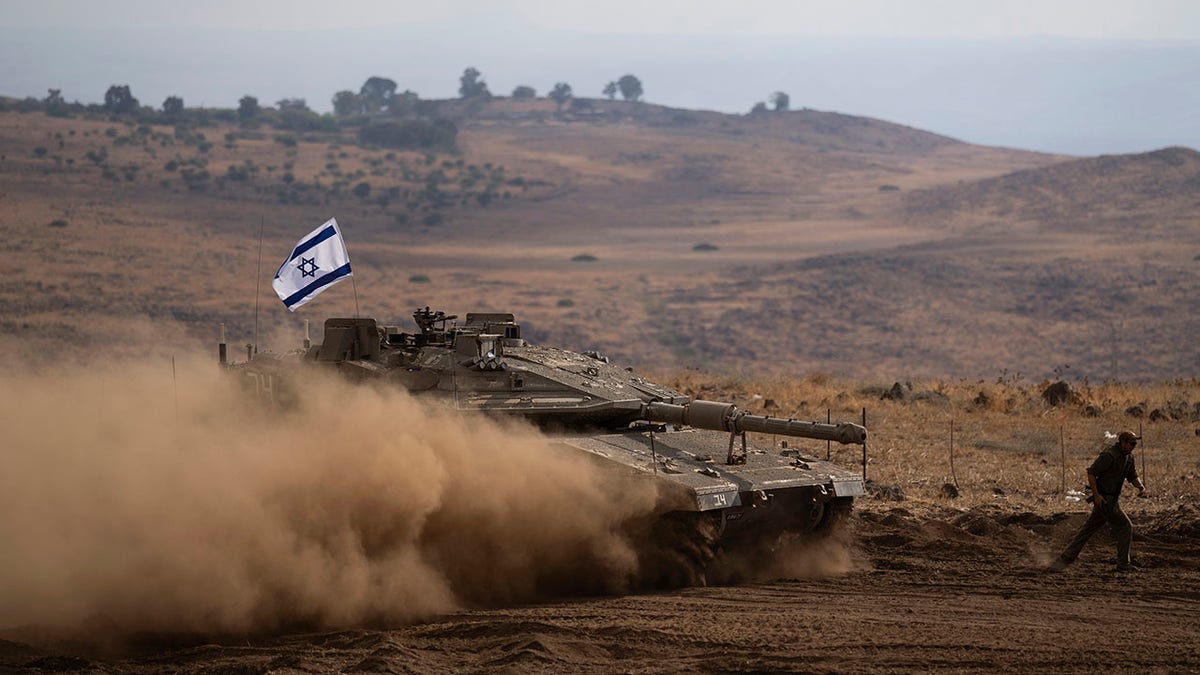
(802, 241)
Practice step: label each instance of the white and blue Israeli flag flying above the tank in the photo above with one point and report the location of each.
(319, 261)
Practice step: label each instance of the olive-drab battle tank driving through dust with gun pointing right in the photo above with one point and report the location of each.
(724, 494)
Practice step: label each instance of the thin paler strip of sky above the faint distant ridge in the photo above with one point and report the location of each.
(1147, 20)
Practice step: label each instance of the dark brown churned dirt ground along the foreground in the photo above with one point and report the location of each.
(928, 588)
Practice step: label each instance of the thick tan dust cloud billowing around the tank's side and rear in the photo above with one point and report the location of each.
(130, 503)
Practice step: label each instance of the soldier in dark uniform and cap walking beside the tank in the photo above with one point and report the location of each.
(1107, 476)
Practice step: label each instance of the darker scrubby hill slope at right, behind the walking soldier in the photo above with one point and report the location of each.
(1090, 264)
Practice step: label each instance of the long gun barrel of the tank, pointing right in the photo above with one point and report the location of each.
(728, 417)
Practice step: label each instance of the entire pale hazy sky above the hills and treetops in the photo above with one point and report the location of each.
(1072, 76)
